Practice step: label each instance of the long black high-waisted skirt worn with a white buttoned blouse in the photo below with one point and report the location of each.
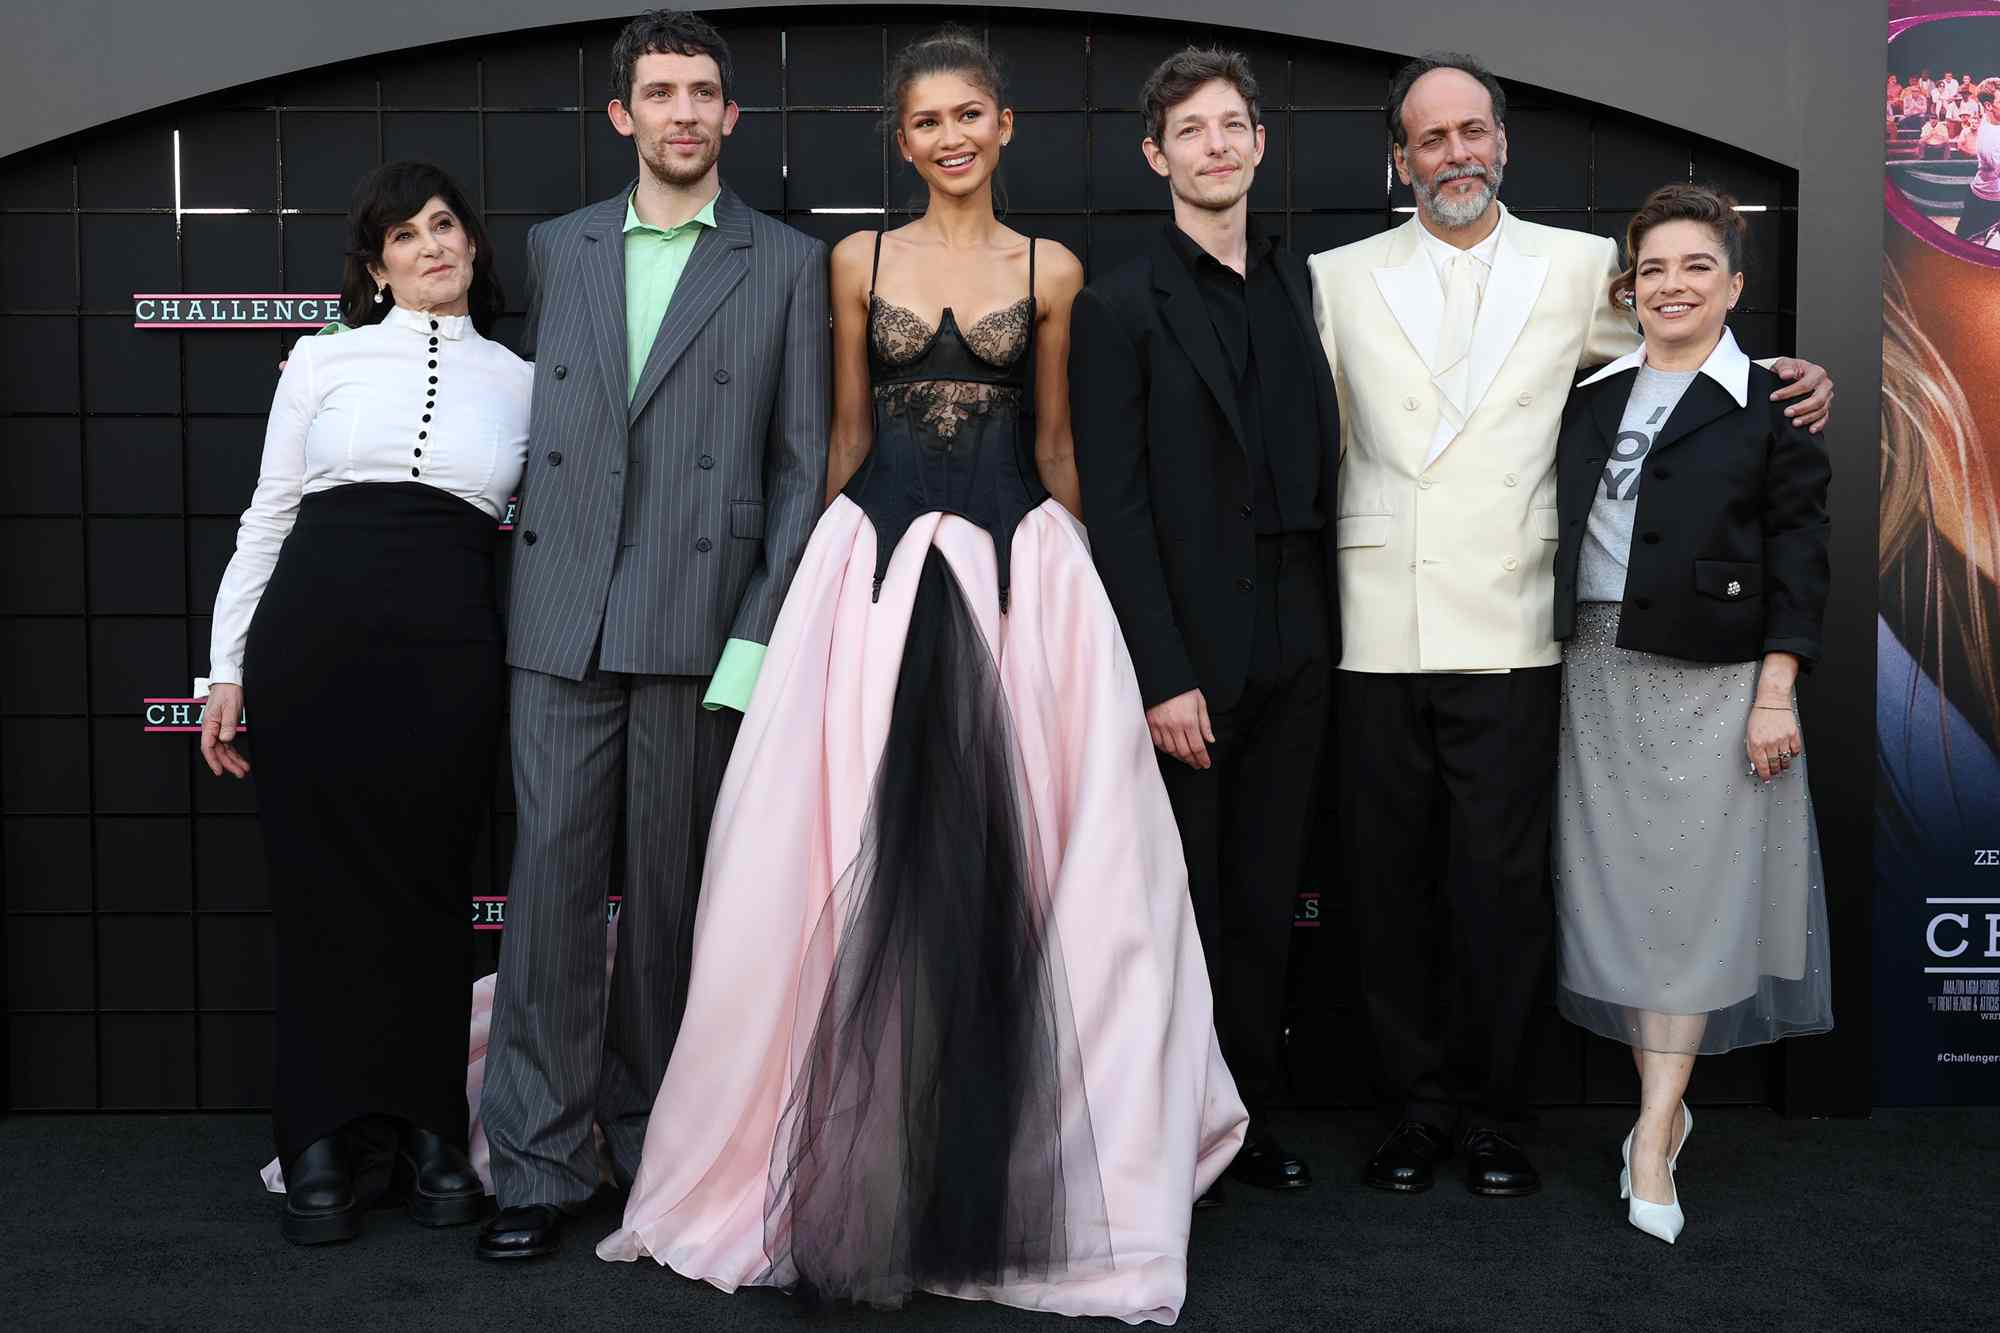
(375, 682)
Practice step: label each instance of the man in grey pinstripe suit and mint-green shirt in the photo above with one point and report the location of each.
(677, 463)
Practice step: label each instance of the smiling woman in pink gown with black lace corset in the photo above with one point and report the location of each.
(949, 1026)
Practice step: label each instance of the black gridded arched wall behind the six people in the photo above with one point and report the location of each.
(137, 934)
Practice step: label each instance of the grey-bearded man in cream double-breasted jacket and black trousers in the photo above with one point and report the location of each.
(1455, 341)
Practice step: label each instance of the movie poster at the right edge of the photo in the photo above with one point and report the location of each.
(1937, 922)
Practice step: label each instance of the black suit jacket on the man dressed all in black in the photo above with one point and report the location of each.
(1167, 477)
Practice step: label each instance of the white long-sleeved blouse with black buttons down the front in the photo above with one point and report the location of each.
(357, 409)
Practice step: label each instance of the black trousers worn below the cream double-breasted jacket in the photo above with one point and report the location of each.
(1445, 802)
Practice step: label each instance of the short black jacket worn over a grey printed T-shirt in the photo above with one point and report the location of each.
(1729, 543)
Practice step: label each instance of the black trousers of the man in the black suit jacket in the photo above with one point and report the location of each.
(1243, 822)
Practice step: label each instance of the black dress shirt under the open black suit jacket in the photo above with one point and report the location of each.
(1273, 379)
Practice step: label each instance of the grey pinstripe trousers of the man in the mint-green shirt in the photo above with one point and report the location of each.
(605, 768)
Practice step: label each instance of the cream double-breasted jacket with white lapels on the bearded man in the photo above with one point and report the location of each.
(1447, 559)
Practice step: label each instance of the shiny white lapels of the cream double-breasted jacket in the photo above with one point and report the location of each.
(1409, 285)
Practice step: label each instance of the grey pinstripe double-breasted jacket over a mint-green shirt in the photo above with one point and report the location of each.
(673, 521)
